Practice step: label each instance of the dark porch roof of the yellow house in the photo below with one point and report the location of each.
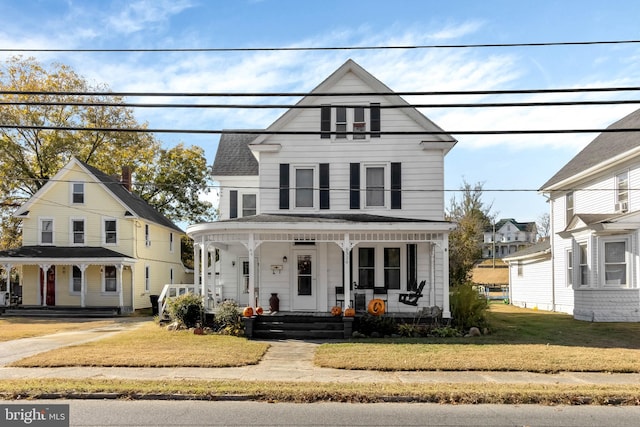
(63, 255)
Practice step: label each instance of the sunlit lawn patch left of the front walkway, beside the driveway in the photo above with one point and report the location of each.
(153, 346)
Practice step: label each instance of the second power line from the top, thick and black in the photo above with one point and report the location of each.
(323, 94)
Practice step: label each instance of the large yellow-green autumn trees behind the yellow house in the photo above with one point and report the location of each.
(171, 180)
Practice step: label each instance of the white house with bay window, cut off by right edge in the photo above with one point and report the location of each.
(595, 235)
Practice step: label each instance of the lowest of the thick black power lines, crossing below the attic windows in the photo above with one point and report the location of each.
(267, 132)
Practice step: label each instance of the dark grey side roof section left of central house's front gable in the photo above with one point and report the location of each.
(233, 157)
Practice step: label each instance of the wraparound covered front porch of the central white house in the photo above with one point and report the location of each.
(311, 263)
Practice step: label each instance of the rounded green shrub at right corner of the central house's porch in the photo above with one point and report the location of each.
(468, 307)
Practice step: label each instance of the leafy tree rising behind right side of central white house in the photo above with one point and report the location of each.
(472, 217)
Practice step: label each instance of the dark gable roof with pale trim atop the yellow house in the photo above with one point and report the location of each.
(131, 202)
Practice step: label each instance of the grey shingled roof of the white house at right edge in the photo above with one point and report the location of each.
(606, 148)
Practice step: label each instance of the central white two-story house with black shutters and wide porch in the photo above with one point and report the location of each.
(338, 202)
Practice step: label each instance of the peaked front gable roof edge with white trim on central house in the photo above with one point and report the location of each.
(376, 87)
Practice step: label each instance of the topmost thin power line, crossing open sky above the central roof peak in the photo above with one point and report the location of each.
(330, 48)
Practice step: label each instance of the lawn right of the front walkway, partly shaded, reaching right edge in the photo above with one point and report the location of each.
(520, 340)
